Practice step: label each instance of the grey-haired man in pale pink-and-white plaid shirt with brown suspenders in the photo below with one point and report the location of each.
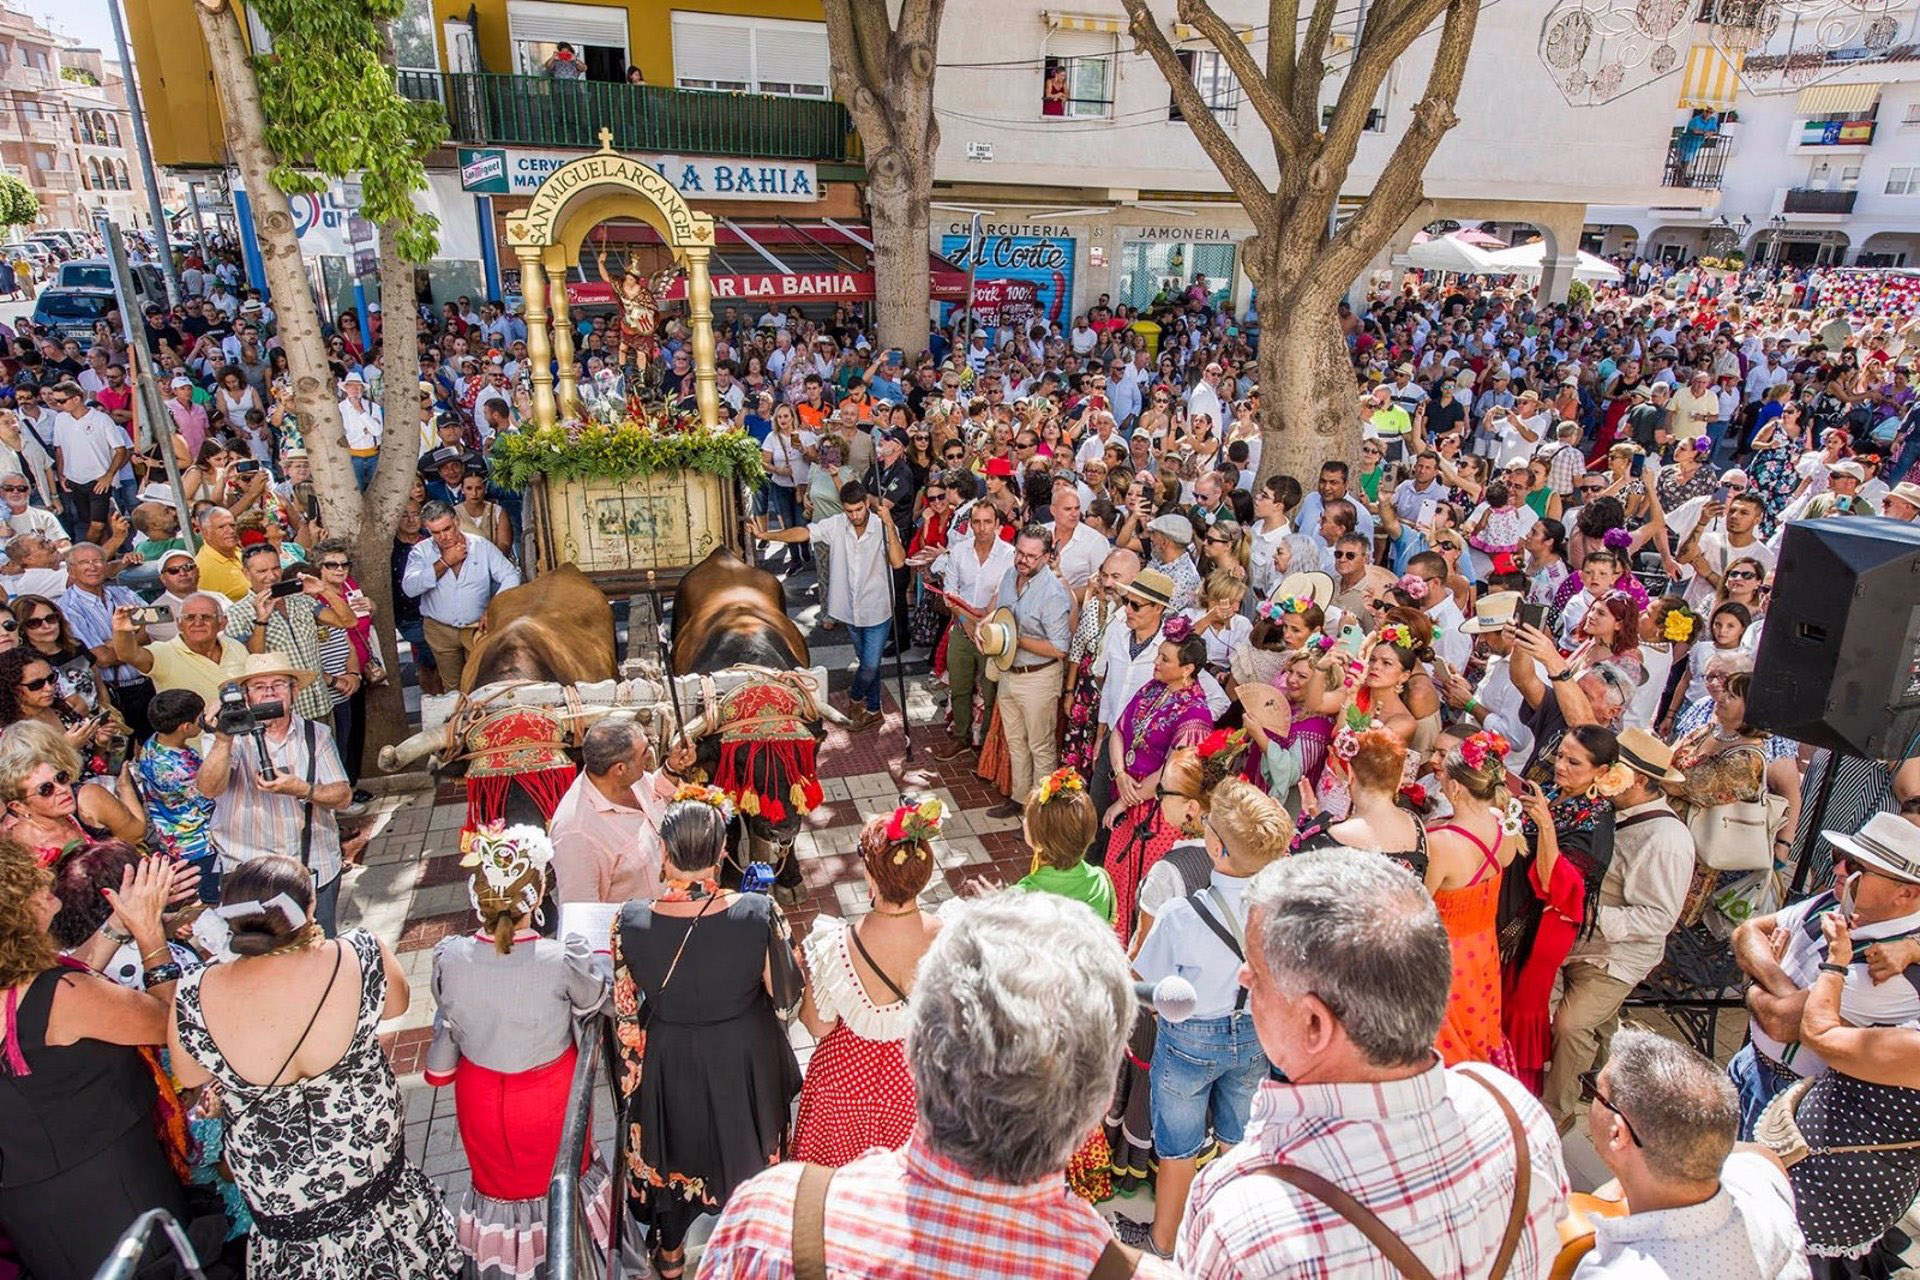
(1349, 970)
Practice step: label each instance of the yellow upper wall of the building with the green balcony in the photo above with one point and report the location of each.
(183, 108)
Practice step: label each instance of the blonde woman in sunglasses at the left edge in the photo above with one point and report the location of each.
(47, 809)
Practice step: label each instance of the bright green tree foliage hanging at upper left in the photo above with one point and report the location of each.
(333, 110)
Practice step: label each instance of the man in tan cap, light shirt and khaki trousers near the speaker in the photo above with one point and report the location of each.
(1641, 899)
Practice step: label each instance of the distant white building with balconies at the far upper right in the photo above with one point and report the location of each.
(1819, 174)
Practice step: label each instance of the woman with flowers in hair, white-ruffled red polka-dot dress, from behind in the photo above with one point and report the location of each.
(859, 1093)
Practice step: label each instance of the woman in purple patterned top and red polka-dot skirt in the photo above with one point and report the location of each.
(1166, 715)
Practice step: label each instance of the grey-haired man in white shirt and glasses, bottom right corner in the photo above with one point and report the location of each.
(1664, 1120)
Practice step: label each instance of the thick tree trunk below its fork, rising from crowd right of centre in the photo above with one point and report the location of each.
(1307, 387)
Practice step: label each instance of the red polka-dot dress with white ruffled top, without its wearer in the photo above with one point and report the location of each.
(859, 1093)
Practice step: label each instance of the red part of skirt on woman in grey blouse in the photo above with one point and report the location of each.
(512, 1126)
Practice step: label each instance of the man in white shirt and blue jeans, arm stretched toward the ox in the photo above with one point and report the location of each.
(865, 550)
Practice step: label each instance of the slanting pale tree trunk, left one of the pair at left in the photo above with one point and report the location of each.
(297, 320)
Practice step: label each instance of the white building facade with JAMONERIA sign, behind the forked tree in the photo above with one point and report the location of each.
(1067, 145)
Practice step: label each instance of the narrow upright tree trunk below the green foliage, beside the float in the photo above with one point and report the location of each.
(387, 496)
